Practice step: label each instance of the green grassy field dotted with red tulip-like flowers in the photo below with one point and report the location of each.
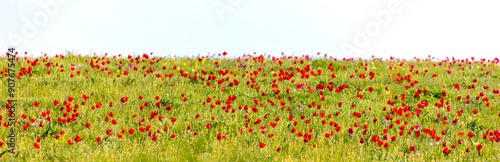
(252, 108)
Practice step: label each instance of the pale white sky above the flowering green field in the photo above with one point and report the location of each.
(191, 27)
